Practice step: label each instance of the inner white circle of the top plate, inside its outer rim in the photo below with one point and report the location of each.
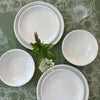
(39, 19)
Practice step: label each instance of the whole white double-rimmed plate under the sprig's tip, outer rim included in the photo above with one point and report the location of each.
(53, 36)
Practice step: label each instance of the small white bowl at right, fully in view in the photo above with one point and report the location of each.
(80, 47)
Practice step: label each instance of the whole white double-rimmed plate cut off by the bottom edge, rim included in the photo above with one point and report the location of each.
(64, 83)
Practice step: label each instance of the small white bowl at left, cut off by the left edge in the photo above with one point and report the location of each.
(16, 67)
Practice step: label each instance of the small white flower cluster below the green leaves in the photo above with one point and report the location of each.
(45, 64)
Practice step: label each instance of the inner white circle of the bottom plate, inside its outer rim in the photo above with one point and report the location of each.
(62, 85)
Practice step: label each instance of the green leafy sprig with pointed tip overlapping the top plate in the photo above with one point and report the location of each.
(41, 49)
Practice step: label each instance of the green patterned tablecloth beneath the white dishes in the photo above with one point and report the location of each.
(8, 10)
